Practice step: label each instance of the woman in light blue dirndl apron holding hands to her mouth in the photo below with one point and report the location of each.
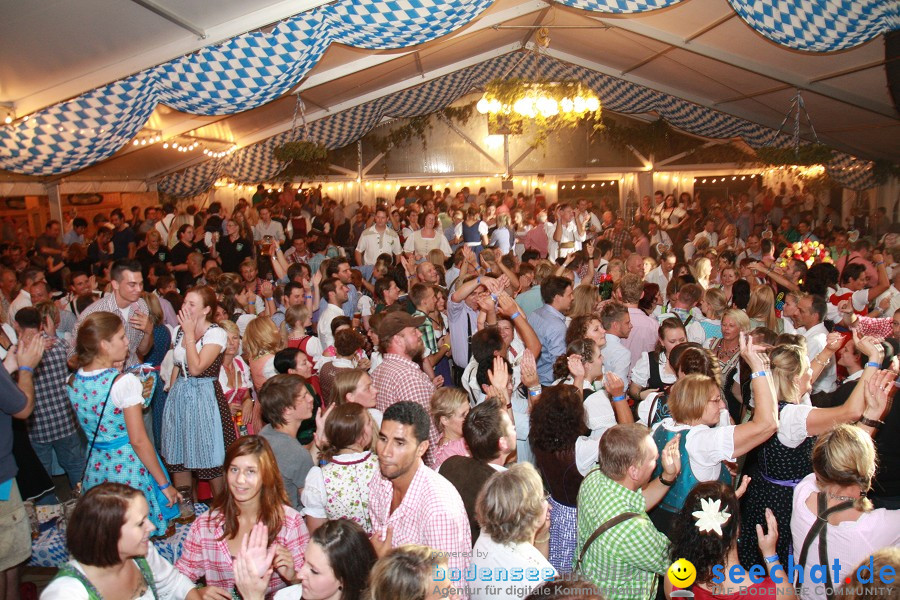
(197, 424)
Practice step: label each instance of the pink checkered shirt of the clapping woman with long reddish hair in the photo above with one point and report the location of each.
(205, 555)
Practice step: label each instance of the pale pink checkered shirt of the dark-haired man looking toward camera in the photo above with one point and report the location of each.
(431, 514)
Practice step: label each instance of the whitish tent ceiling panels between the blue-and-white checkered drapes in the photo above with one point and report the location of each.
(700, 50)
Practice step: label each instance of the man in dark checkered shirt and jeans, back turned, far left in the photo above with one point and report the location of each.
(52, 425)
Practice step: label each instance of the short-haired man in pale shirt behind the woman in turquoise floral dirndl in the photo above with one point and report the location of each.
(125, 301)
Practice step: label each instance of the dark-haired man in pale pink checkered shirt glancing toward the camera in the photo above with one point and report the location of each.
(408, 502)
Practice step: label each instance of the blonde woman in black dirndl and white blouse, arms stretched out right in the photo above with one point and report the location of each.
(784, 459)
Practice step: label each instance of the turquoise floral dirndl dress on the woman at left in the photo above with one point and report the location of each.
(112, 457)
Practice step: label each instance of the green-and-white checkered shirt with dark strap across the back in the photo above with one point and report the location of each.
(625, 560)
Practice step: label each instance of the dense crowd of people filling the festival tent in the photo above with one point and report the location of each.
(445, 394)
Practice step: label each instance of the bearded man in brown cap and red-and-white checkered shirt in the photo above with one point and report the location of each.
(399, 376)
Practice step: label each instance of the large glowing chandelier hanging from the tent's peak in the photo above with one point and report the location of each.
(539, 98)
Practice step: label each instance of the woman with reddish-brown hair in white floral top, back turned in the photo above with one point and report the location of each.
(339, 489)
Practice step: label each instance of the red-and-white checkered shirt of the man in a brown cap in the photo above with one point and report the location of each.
(397, 379)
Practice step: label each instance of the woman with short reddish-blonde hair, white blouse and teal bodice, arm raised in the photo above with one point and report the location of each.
(707, 440)
